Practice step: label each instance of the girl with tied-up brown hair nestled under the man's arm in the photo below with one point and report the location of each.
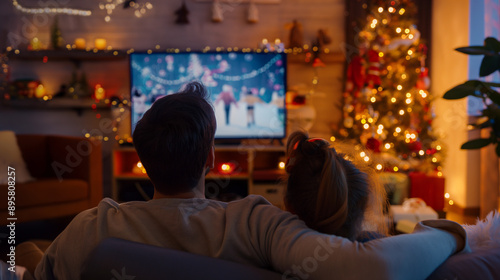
(329, 193)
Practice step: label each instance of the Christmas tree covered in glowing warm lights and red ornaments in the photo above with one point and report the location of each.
(386, 104)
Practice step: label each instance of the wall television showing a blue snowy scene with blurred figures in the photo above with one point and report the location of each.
(247, 89)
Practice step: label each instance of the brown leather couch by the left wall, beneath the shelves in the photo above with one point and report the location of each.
(79, 186)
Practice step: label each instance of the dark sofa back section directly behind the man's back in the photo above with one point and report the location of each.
(122, 259)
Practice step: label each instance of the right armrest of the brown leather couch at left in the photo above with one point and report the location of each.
(77, 158)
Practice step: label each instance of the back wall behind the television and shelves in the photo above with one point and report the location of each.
(157, 27)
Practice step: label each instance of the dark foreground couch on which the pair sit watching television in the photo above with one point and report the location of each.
(122, 259)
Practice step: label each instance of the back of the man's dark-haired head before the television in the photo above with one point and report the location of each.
(174, 137)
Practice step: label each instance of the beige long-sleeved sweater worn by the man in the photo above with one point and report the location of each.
(249, 231)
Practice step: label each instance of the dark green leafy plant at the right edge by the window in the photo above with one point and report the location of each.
(490, 118)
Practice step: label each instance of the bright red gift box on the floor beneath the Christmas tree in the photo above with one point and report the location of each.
(430, 188)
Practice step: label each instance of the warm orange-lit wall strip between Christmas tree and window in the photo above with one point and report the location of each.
(449, 68)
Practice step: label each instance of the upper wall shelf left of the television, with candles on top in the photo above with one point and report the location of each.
(72, 55)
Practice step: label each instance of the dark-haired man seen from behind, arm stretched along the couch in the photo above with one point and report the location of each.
(175, 143)
